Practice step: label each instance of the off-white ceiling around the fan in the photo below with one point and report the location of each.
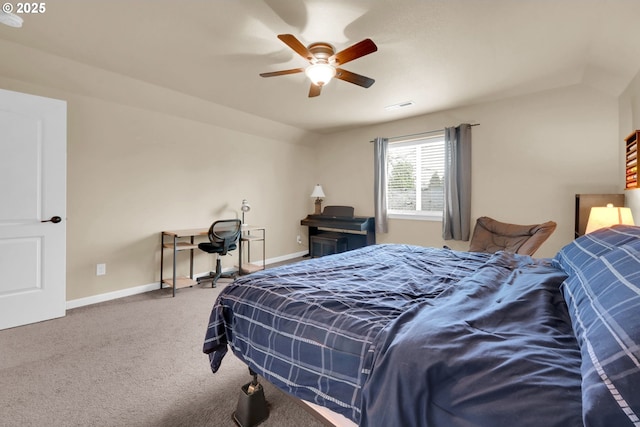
(439, 54)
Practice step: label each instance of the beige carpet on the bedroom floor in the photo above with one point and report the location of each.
(136, 361)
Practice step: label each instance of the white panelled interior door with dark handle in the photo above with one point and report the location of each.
(33, 158)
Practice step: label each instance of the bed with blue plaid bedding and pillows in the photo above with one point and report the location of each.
(404, 335)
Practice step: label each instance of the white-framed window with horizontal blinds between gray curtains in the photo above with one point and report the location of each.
(415, 181)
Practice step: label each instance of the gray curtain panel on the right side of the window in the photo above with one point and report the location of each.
(457, 183)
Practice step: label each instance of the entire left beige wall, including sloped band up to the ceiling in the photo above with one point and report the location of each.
(142, 159)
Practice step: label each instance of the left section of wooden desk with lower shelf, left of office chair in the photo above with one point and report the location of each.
(176, 242)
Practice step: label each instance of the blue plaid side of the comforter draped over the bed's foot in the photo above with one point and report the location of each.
(311, 328)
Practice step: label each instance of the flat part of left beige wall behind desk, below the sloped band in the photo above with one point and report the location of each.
(133, 173)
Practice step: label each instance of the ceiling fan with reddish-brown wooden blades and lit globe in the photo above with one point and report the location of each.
(325, 62)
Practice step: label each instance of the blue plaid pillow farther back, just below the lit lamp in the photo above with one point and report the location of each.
(589, 247)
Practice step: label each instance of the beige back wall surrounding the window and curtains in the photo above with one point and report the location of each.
(531, 155)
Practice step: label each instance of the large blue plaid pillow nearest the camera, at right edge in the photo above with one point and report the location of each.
(603, 297)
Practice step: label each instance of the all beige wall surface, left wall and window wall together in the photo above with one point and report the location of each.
(142, 159)
